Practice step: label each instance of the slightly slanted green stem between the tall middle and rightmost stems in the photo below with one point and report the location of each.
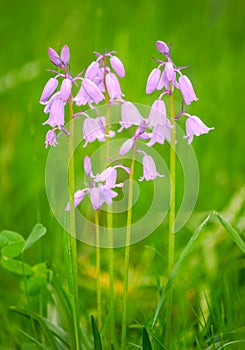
(127, 252)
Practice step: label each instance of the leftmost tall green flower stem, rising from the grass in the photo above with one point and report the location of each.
(71, 238)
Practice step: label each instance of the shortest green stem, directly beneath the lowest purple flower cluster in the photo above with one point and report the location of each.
(98, 282)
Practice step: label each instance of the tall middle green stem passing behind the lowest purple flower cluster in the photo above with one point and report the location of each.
(109, 218)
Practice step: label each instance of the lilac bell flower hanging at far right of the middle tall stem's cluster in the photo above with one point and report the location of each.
(130, 116)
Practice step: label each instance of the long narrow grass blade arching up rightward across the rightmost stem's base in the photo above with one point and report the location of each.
(178, 266)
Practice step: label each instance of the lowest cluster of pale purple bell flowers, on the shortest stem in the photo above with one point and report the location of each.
(101, 187)
